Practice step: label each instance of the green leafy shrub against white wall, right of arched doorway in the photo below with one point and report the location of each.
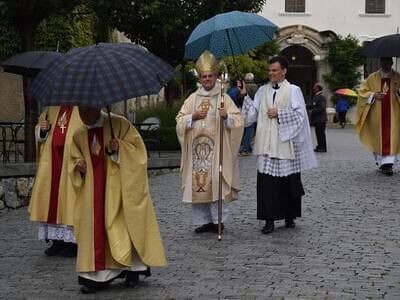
(345, 59)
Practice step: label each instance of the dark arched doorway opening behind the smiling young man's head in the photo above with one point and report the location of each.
(302, 69)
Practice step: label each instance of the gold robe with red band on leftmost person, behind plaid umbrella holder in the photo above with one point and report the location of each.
(53, 195)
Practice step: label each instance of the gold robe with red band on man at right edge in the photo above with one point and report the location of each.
(378, 124)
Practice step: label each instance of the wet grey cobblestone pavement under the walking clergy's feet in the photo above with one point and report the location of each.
(346, 245)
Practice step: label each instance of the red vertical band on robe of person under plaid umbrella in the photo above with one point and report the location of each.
(98, 161)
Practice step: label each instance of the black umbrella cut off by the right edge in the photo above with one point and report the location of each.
(385, 46)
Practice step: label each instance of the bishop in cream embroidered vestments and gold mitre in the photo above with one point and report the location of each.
(198, 130)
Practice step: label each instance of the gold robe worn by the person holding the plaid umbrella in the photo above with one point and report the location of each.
(129, 217)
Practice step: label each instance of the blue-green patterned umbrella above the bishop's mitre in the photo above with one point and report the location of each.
(229, 34)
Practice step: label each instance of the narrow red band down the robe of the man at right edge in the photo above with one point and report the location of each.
(385, 116)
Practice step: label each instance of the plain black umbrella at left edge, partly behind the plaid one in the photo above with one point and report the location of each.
(29, 63)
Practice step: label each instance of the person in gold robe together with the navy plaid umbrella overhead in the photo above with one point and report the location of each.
(115, 226)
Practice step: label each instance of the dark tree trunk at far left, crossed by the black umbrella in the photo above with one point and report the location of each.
(31, 107)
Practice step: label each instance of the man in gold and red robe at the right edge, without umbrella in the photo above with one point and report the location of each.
(378, 115)
